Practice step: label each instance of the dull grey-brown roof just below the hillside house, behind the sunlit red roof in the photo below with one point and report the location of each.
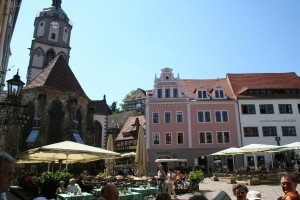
(118, 120)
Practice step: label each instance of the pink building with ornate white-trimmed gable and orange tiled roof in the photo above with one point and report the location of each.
(191, 119)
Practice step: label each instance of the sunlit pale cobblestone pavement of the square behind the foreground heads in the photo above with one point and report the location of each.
(211, 188)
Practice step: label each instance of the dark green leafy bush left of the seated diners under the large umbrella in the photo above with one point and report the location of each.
(48, 182)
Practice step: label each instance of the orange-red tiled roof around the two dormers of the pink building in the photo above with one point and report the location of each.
(189, 87)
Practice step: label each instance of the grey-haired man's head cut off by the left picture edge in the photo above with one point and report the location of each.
(7, 170)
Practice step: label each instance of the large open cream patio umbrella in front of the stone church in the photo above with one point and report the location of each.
(68, 152)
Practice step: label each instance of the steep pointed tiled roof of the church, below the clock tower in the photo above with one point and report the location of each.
(57, 75)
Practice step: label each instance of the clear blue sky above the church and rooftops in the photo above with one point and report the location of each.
(119, 45)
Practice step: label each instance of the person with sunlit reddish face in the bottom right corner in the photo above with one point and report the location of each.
(288, 185)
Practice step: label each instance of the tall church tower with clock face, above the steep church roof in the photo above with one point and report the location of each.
(51, 37)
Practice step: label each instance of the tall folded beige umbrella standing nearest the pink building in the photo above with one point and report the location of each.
(141, 158)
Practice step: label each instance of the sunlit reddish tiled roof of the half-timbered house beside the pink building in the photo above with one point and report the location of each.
(131, 126)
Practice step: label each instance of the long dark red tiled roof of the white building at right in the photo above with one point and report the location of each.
(264, 81)
